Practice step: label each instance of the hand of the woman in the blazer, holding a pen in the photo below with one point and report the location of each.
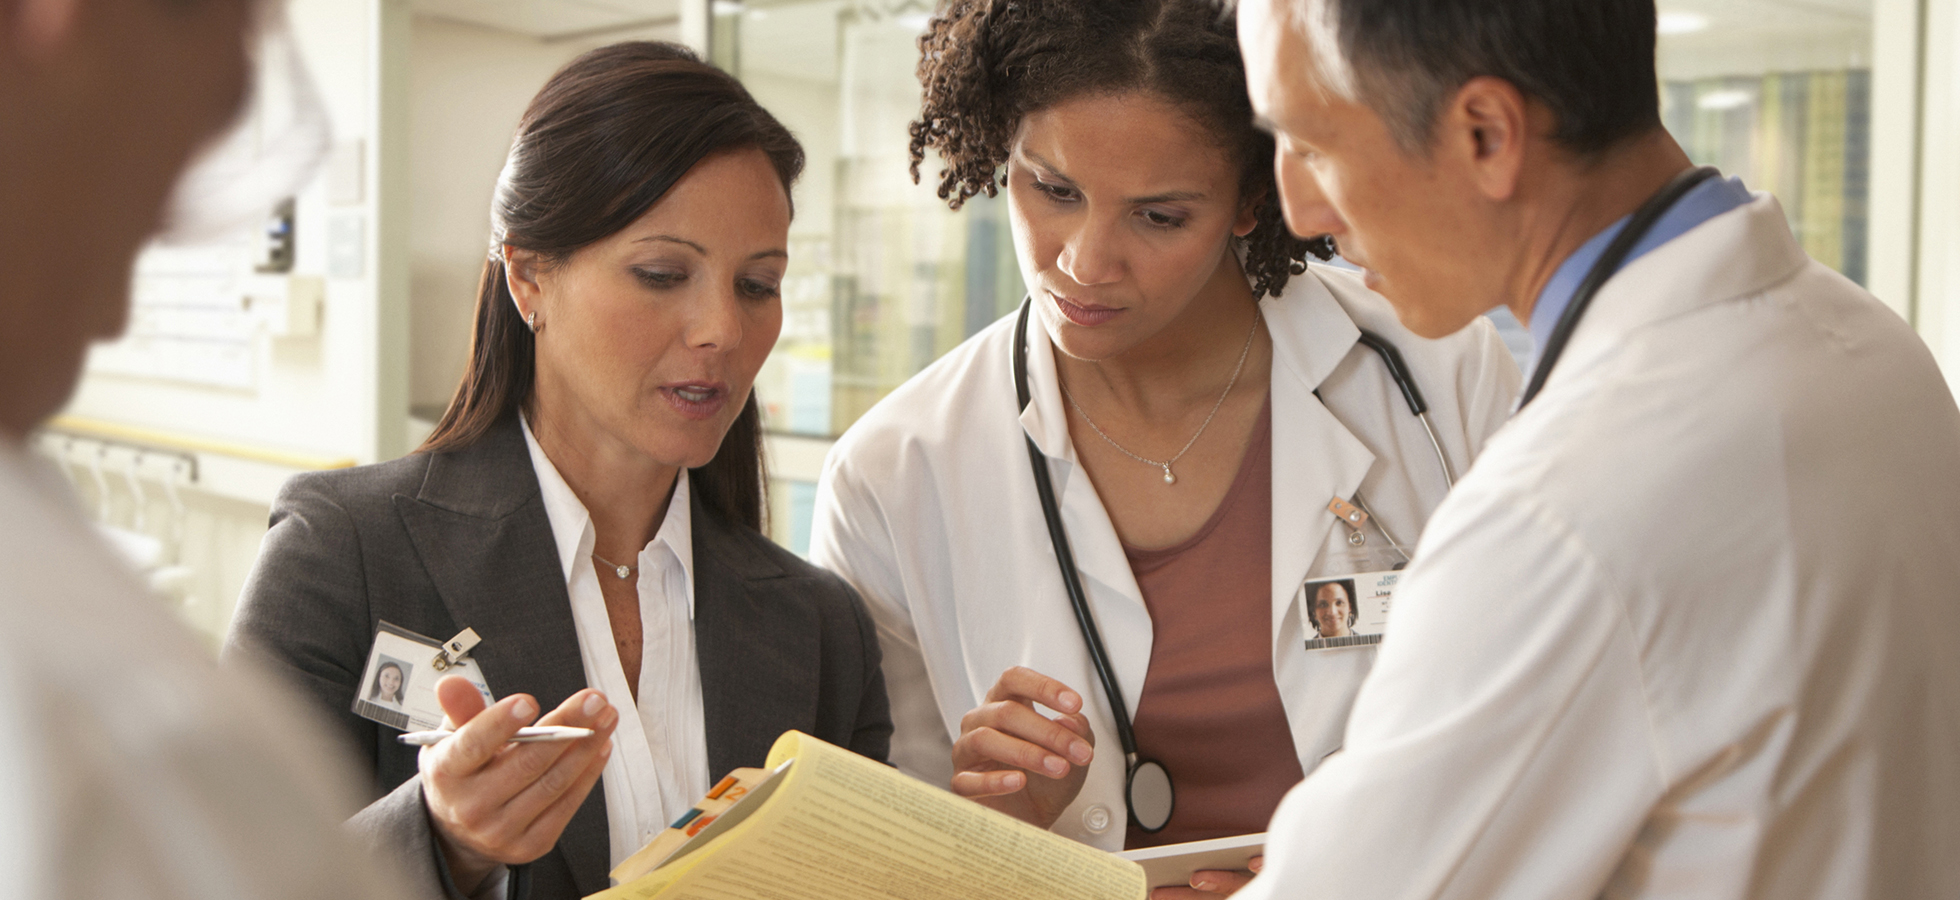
(497, 803)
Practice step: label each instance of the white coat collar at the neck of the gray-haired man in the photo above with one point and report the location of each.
(1738, 254)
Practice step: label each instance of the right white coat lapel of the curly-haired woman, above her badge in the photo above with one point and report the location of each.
(1314, 456)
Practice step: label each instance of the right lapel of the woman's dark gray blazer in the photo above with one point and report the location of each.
(756, 646)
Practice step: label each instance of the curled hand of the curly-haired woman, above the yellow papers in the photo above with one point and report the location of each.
(1020, 762)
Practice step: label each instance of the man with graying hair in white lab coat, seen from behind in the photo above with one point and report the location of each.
(1689, 626)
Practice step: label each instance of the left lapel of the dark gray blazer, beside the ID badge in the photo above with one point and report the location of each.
(481, 530)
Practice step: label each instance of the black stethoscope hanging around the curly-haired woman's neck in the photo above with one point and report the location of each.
(1148, 783)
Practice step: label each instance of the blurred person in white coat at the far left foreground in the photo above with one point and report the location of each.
(134, 770)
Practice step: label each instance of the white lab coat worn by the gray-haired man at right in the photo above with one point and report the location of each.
(1690, 625)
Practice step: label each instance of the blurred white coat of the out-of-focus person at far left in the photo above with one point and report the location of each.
(134, 768)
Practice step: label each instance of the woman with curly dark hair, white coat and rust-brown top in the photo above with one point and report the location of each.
(1199, 397)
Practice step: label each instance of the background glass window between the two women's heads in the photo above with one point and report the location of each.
(883, 277)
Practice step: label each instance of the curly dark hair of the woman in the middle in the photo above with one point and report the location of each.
(987, 64)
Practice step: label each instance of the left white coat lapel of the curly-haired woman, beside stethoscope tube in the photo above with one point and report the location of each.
(1106, 577)
